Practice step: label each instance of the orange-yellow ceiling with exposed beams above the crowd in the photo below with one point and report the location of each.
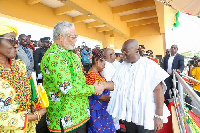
(106, 16)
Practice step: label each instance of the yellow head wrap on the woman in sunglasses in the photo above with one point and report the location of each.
(7, 27)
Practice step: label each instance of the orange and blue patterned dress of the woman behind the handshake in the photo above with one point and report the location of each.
(100, 120)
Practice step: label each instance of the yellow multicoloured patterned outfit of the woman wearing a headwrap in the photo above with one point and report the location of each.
(13, 110)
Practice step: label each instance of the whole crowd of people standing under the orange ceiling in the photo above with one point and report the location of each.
(89, 90)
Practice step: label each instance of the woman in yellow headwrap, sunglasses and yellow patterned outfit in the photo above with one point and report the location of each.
(15, 89)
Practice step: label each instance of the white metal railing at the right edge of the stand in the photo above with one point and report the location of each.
(179, 98)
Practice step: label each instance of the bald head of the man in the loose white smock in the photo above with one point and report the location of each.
(130, 50)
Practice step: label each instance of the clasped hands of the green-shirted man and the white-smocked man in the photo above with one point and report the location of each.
(101, 86)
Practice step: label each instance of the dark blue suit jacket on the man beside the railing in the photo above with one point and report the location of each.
(178, 62)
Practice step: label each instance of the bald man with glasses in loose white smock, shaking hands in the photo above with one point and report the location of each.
(138, 97)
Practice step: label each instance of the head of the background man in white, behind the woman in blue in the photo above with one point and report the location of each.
(109, 55)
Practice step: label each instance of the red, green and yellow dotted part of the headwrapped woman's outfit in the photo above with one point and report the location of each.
(18, 80)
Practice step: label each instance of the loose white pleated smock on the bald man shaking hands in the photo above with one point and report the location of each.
(133, 96)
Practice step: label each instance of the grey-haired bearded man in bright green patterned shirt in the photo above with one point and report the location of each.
(64, 83)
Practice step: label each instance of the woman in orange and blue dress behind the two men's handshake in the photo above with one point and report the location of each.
(100, 120)
